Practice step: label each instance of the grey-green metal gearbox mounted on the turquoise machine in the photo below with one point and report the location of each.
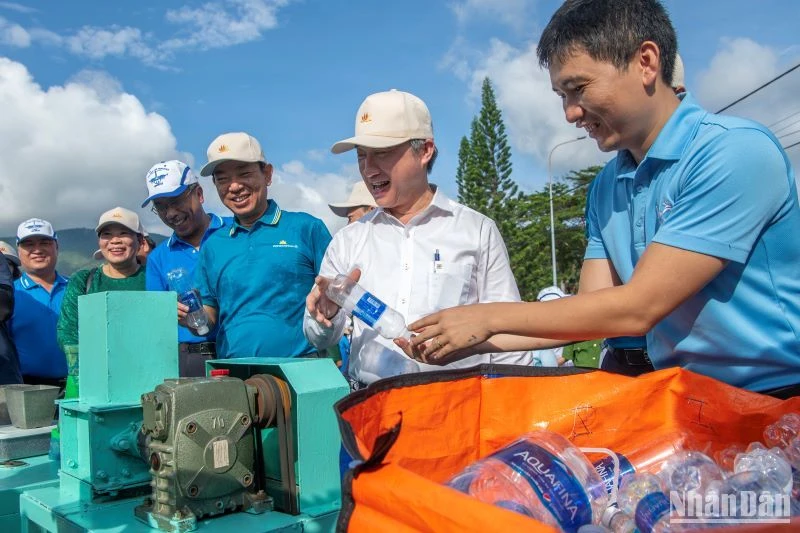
(201, 451)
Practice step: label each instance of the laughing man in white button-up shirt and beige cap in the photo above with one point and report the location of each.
(419, 251)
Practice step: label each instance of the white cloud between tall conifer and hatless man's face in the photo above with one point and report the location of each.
(531, 111)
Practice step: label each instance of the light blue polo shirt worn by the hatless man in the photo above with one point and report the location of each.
(720, 186)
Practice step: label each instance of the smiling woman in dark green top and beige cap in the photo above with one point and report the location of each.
(119, 238)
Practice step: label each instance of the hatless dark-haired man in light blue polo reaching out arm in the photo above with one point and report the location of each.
(692, 227)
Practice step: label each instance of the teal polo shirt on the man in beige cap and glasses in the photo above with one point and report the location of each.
(258, 279)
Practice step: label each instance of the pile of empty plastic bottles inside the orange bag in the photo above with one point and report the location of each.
(543, 476)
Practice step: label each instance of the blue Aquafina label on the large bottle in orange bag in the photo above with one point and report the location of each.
(555, 485)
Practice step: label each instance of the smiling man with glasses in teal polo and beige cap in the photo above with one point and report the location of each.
(254, 276)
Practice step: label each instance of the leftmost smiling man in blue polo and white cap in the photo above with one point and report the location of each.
(38, 295)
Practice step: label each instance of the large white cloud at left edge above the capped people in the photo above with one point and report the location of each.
(70, 152)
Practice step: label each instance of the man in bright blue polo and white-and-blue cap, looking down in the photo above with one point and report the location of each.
(178, 201)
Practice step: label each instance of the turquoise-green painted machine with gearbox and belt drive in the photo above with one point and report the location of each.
(289, 446)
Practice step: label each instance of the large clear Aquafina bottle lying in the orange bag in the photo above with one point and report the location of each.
(541, 475)
